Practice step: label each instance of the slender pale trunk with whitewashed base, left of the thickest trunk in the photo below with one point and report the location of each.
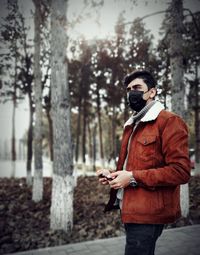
(38, 174)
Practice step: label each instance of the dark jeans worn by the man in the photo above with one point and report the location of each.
(141, 238)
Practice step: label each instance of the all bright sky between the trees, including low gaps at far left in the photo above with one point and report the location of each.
(106, 17)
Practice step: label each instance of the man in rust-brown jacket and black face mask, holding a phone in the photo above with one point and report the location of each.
(155, 161)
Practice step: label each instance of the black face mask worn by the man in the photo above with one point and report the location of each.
(135, 100)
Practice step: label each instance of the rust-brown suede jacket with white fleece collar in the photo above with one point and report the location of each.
(159, 159)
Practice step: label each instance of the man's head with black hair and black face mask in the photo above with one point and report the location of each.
(141, 89)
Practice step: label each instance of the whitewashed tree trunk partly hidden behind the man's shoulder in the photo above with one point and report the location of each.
(177, 72)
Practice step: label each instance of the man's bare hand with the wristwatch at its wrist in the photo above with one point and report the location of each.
(121, 179)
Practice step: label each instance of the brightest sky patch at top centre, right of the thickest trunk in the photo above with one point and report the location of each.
(102, 24)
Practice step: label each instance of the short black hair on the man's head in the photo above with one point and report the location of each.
(146, 76)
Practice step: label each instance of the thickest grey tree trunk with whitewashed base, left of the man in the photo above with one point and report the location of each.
(63, 183)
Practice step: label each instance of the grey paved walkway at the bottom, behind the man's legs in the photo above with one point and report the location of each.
(177, 241)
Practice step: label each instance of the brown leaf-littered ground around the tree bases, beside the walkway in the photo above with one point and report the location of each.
(24, 225)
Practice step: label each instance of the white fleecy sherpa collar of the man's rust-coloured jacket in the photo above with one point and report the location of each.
(152, 114)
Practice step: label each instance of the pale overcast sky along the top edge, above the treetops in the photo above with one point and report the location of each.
(108, 14)
